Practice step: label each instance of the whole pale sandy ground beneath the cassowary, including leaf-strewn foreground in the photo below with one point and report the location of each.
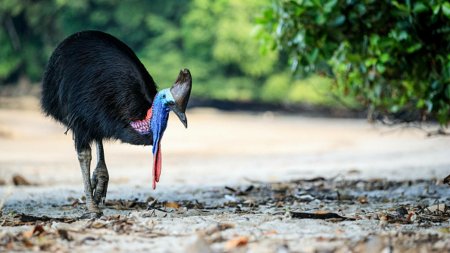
(231, 182)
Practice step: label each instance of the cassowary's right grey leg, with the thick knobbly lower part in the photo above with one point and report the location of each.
(100, 177)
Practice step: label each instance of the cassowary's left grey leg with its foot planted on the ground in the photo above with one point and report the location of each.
(84, 157)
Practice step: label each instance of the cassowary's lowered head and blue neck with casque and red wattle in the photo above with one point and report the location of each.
(175, 99)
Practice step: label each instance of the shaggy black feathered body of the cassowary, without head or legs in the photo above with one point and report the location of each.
(95, 85)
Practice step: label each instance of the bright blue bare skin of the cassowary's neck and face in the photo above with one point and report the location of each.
(160, 116)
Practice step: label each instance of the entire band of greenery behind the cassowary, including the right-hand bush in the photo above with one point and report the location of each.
(386, 57)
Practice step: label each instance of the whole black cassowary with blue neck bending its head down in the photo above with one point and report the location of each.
(96, 86)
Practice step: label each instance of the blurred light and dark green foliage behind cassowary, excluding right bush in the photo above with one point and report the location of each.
(214, 39)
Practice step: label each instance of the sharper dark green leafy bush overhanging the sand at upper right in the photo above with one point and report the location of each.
(393, 56)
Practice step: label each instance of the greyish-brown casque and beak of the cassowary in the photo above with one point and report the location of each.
(181, 91)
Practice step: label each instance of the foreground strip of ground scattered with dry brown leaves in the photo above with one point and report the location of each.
(404, 211)
